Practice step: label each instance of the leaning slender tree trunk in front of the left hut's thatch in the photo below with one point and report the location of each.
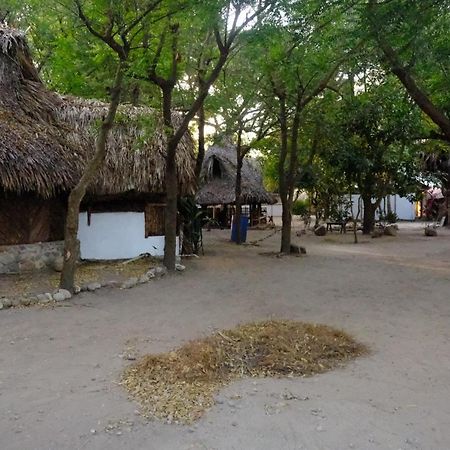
(71, 243)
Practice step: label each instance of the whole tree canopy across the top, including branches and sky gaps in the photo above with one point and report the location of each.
(336, 95)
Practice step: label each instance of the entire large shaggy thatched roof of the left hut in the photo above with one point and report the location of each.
(46, 139)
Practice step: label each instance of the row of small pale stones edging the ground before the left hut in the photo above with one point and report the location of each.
(61, 294)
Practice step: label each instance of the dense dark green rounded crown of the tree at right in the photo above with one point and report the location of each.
(374, 141)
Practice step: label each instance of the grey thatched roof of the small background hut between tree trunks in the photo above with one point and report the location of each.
(218, 179)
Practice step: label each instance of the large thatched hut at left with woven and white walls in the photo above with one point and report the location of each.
(46, 141)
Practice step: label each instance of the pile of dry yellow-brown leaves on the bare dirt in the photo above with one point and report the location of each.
(179, 385)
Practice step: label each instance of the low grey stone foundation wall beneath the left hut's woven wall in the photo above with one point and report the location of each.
(31, 257)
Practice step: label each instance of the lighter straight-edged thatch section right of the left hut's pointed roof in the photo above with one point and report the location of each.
(137, 147)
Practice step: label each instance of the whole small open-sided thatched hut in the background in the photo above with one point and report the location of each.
(218, 183)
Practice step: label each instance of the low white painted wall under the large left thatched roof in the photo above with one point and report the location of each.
(117, 235)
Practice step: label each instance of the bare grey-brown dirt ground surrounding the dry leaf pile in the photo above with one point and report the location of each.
(59, 366)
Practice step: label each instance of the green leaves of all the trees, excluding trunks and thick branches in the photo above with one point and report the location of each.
(362, 133)
